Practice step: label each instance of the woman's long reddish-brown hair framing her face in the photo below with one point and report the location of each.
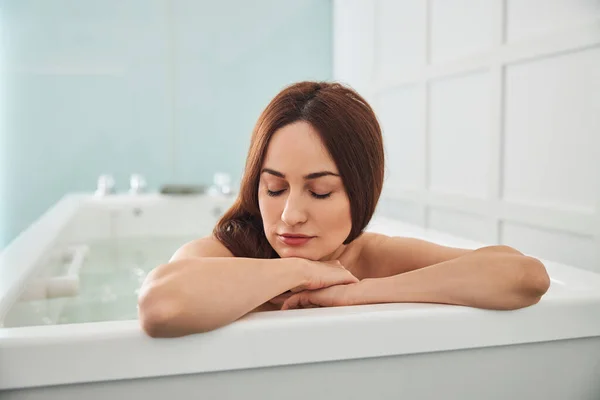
(351, 133)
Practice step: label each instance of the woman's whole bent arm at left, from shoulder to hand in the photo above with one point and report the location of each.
(204, 287)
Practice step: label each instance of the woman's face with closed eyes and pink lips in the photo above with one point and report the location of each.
(303, 202)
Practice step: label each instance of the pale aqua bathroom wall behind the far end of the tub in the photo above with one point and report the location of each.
(170, 89)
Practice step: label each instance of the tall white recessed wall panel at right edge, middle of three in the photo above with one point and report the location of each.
(552, 118)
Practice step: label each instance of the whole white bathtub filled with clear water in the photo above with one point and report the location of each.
(68, 289)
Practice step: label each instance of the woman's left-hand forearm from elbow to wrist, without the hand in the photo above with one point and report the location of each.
(198, 295)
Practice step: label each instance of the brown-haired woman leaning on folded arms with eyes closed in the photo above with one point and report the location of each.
(294, 237)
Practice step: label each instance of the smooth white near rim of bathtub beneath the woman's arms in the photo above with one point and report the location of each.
(86, 352)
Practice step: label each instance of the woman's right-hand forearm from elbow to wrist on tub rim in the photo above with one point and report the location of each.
(483, 279)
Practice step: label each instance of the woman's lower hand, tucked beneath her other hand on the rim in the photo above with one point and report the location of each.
(333, 296)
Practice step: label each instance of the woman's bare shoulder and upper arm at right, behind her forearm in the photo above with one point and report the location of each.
(382, 255)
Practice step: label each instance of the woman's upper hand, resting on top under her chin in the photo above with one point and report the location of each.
(322, 274)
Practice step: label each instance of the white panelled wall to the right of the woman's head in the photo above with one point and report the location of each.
(491, 116)
